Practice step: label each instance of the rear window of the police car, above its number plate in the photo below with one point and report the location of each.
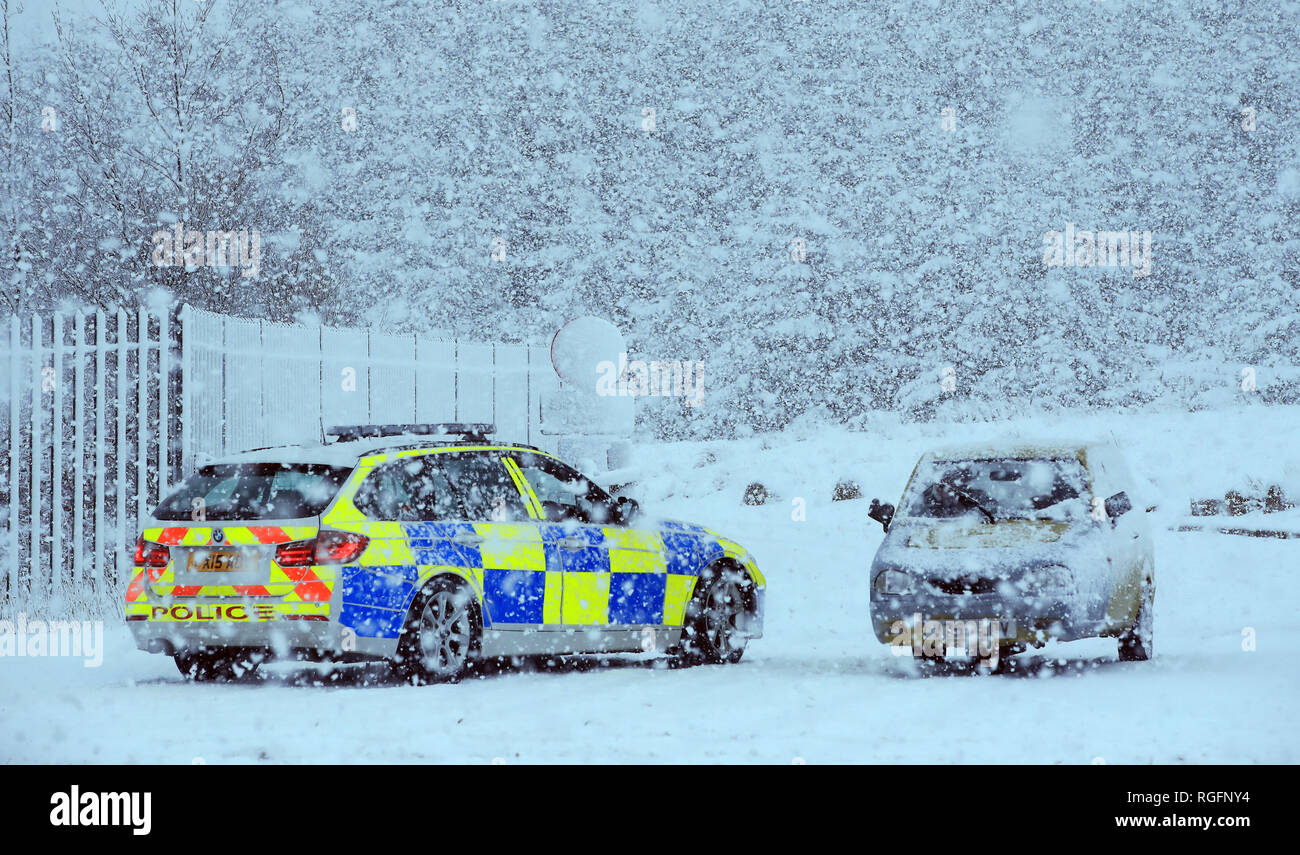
(254, 492)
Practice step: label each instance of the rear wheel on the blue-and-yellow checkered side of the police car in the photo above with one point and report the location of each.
(443, 636)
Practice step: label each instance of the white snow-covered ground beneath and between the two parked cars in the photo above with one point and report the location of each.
(818, 688)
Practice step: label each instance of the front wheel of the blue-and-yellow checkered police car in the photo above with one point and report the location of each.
(710, 633)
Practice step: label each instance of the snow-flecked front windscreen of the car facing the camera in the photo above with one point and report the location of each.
(1002, 489)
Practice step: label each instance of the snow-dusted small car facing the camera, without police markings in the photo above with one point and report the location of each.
(1020, 545)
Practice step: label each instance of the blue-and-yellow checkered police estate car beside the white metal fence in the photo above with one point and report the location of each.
(431, 546)
